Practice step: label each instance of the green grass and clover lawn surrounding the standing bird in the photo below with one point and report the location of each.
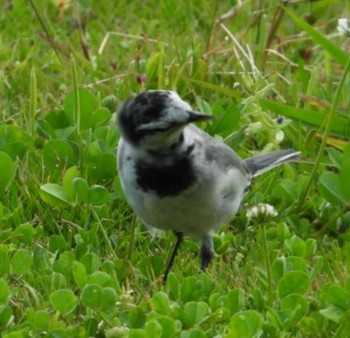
(75, 261)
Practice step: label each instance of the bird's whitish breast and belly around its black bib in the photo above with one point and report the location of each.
(208, 204)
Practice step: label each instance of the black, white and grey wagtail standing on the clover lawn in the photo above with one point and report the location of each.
(177, 177)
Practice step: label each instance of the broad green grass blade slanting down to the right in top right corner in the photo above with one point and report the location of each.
(338, 54)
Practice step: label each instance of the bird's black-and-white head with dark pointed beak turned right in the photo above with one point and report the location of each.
(155, 119)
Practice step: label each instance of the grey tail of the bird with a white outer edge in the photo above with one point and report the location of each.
(262, 163)
